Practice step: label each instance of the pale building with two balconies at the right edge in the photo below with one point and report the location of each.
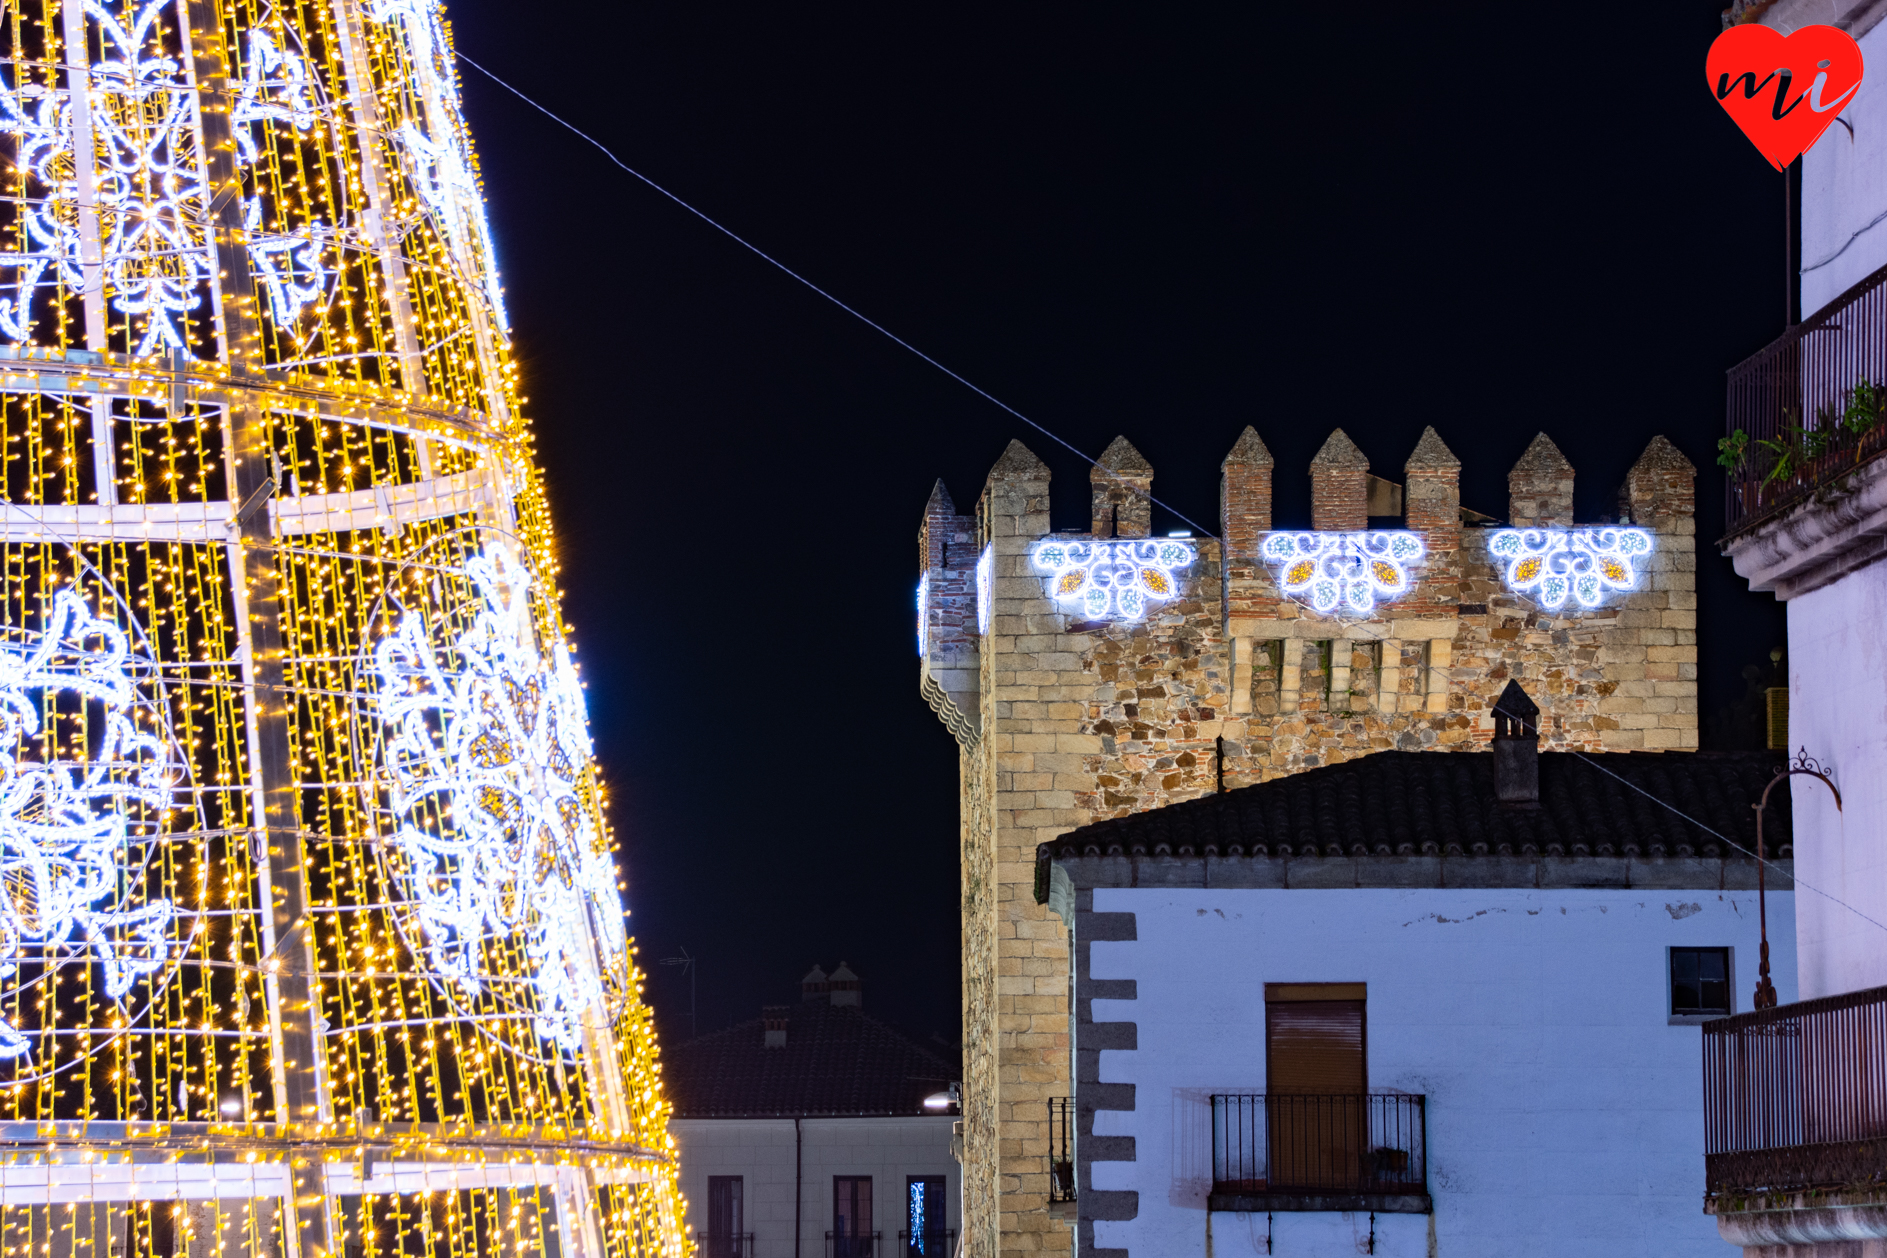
(1795, 1151)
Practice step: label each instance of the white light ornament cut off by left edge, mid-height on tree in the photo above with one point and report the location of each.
(67, 825)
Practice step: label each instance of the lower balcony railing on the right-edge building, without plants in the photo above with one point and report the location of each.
(1795, 1097)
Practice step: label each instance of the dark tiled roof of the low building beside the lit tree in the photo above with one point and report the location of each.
(839, 1061)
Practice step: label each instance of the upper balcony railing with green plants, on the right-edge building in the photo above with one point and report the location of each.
(1809, 406)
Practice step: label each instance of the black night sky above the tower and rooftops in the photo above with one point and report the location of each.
(1161, 222)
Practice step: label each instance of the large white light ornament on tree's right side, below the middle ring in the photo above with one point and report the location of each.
(488, 772)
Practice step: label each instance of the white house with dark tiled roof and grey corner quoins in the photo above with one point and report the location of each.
(1412, 1004)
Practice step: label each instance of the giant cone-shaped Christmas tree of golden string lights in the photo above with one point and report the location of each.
(310, 938)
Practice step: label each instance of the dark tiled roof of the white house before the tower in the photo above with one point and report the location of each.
(1428, 803)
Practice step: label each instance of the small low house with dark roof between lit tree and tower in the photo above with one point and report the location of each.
(805, 1134)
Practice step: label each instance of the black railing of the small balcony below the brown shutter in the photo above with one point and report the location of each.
(1316, 1146)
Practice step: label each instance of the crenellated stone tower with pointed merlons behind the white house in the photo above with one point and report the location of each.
(1065, 721)
